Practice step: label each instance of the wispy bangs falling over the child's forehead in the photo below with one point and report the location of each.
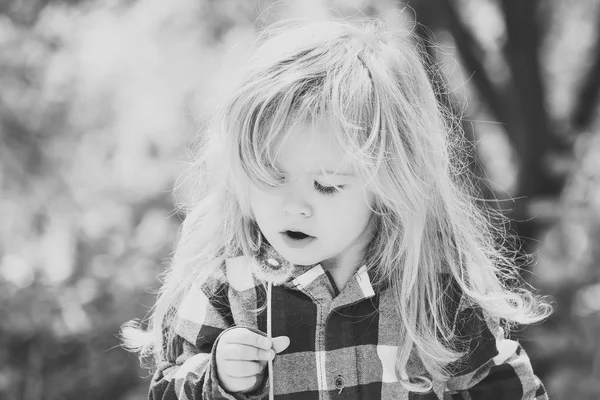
(301, 88)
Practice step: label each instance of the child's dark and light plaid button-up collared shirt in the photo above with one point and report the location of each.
(342, 346)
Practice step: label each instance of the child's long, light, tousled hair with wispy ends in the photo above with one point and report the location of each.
(372, 83)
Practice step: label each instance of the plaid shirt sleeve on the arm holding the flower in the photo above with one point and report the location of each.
(191, 374)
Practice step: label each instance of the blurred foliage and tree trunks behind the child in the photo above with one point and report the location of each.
(100, 100)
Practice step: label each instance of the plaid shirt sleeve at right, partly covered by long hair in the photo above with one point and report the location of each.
(495, 368)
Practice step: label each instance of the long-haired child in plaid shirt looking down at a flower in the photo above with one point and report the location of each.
(332, 250)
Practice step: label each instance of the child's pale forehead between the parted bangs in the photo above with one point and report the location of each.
(312, 147)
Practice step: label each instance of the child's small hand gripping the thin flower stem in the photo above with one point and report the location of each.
(242, 356)
